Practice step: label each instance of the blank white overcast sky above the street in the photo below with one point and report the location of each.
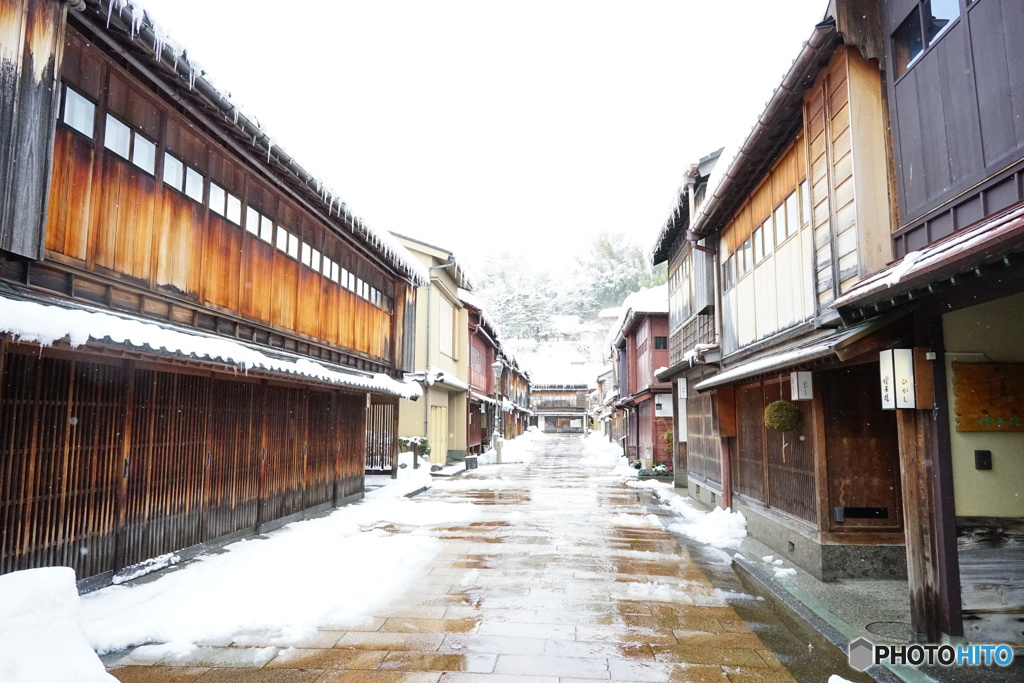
(483, 126)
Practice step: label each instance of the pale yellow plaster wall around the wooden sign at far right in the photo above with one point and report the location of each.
(988, 333)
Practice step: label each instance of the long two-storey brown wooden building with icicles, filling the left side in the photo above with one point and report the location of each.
(197, 340)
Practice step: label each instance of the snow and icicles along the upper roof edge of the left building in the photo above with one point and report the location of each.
(144, 33)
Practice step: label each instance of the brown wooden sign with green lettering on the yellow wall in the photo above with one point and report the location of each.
(990, 397)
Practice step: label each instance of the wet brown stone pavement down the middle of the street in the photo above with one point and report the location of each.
(573, 581)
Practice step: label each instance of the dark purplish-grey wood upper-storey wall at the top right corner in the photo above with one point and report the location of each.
(957, 112)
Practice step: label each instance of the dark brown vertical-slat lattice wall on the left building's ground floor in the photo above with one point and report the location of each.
(104, 466)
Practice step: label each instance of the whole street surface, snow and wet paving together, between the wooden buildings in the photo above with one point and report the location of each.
(559, 567)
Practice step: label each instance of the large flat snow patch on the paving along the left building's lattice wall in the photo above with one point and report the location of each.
(333, 571)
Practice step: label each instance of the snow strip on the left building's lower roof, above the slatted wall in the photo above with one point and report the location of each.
(31, 322)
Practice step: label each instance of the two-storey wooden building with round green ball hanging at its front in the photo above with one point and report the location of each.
(793, 220)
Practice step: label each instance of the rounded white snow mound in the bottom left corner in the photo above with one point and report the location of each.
(40, 637)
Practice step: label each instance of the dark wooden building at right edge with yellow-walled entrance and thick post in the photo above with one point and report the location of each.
(956, 98)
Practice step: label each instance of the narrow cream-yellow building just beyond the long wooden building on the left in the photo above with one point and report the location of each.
(443, 357)
